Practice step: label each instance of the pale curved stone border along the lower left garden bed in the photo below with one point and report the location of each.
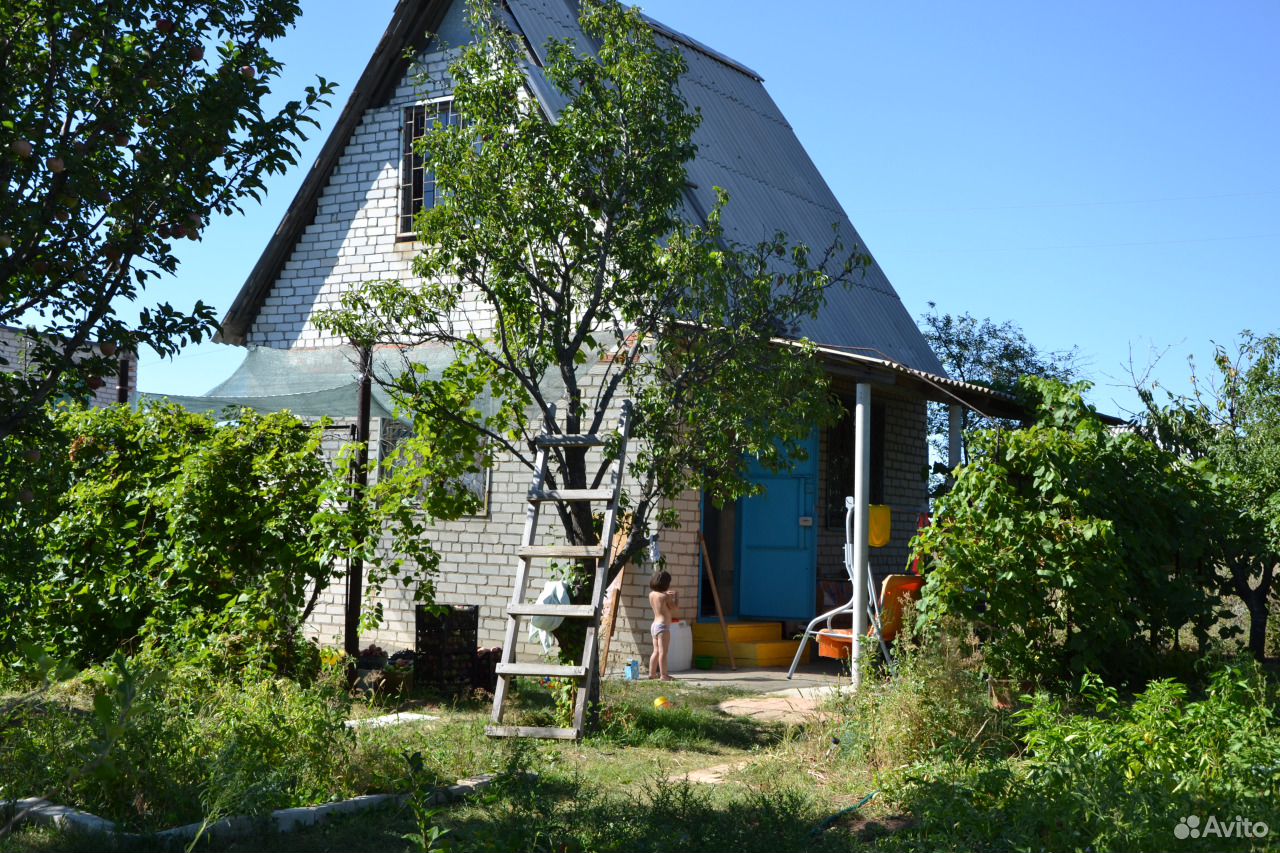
(284, 820)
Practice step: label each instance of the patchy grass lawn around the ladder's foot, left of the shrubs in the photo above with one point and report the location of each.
(621, 788)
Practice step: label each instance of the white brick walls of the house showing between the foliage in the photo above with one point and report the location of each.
(354, 240)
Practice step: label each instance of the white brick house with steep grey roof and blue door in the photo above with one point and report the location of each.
(774, 556)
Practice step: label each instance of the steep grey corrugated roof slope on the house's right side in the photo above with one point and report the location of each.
(748, 148)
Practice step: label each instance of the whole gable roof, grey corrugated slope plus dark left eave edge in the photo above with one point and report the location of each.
(744, 145)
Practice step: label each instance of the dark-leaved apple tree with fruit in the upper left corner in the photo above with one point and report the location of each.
(125, 127)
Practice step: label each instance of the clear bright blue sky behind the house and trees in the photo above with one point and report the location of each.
(1105, 175)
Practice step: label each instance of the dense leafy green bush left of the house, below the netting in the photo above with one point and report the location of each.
(158, 524)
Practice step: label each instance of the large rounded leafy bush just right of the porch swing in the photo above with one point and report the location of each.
(1072, 546)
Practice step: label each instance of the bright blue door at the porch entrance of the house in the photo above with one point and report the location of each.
(778, 542)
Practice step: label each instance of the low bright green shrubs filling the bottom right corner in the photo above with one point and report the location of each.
(1121, 777)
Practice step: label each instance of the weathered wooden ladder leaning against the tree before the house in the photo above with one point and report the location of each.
(586, 673)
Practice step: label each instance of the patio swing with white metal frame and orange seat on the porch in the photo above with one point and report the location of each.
(884, 612)
